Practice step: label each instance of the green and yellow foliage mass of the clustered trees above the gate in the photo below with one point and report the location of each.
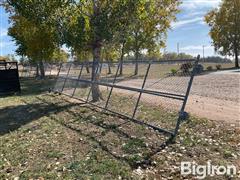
(97, 26)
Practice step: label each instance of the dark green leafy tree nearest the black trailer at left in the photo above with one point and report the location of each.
(33, 29)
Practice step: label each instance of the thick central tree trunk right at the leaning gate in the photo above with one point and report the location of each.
(96, 94)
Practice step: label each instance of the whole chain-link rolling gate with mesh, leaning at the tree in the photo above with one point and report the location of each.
(166, 84)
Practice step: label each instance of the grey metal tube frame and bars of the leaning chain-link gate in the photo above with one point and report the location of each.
(184, 98)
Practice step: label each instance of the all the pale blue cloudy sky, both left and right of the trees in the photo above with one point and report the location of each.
(189, 31)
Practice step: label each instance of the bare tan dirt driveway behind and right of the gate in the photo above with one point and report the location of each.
(214, 96)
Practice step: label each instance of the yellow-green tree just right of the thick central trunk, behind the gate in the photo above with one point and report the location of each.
(151, 21)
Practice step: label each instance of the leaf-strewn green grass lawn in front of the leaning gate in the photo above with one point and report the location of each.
(45, 136)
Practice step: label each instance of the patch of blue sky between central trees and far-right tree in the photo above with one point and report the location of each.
(190, 30)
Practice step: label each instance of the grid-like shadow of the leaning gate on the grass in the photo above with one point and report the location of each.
(118, 129)
